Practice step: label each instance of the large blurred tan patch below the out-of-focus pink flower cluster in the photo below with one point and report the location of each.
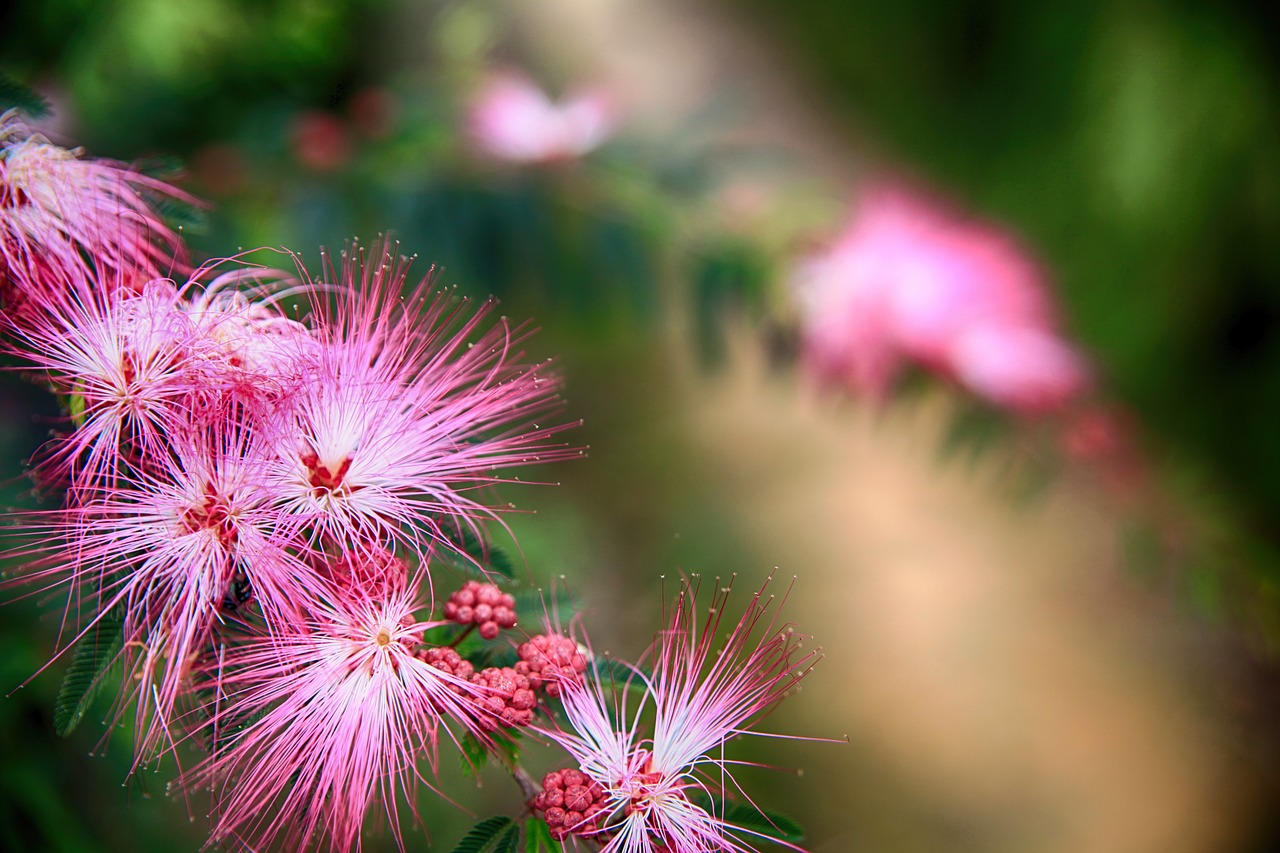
(991, 654)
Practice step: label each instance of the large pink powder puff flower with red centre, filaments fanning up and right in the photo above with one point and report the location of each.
(414, 404)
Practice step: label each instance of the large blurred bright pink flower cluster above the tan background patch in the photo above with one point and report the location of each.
(909, 281)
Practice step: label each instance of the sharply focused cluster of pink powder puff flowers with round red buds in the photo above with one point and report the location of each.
(260, 472)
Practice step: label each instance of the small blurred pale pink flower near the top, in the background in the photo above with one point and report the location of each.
(514, 120)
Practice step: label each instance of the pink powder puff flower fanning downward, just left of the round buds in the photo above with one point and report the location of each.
(342, 709)
